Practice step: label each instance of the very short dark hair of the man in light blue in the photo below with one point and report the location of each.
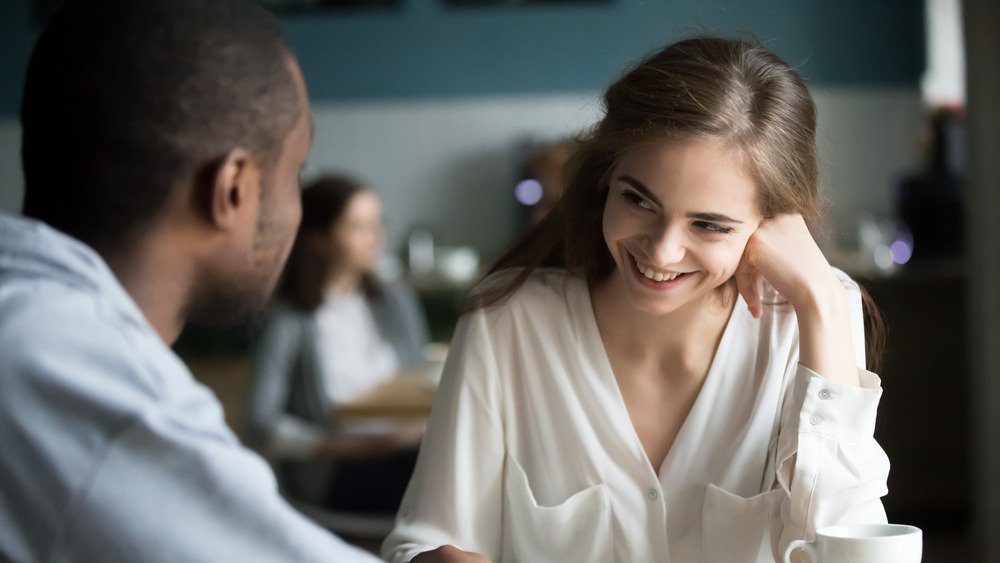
(124, 97)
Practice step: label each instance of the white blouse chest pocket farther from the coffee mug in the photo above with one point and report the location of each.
(577, 529)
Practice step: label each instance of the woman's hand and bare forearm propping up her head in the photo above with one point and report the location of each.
(783, 252)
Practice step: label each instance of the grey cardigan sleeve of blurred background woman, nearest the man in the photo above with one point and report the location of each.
(278, 434)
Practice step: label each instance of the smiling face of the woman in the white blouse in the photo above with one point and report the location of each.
(677, 218)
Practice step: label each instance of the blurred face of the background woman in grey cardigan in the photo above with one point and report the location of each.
(357, 236)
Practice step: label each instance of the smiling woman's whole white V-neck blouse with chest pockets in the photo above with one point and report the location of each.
(530, 454)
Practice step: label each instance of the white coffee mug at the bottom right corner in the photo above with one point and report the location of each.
(862, 543)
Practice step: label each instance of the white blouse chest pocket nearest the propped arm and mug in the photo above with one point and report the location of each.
(736, 528)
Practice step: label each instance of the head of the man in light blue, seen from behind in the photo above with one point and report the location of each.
(133, 108)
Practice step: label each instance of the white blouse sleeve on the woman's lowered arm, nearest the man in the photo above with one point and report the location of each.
(454, 496)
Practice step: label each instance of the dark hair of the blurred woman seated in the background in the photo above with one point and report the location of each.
(324, 202)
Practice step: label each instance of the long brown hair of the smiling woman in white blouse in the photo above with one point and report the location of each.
(733, 90)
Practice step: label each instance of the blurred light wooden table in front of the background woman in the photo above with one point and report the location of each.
(408, 396)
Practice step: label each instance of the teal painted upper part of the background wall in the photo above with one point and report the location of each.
(426, 49)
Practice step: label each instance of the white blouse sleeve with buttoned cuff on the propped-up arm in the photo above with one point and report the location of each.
(828, 463)
